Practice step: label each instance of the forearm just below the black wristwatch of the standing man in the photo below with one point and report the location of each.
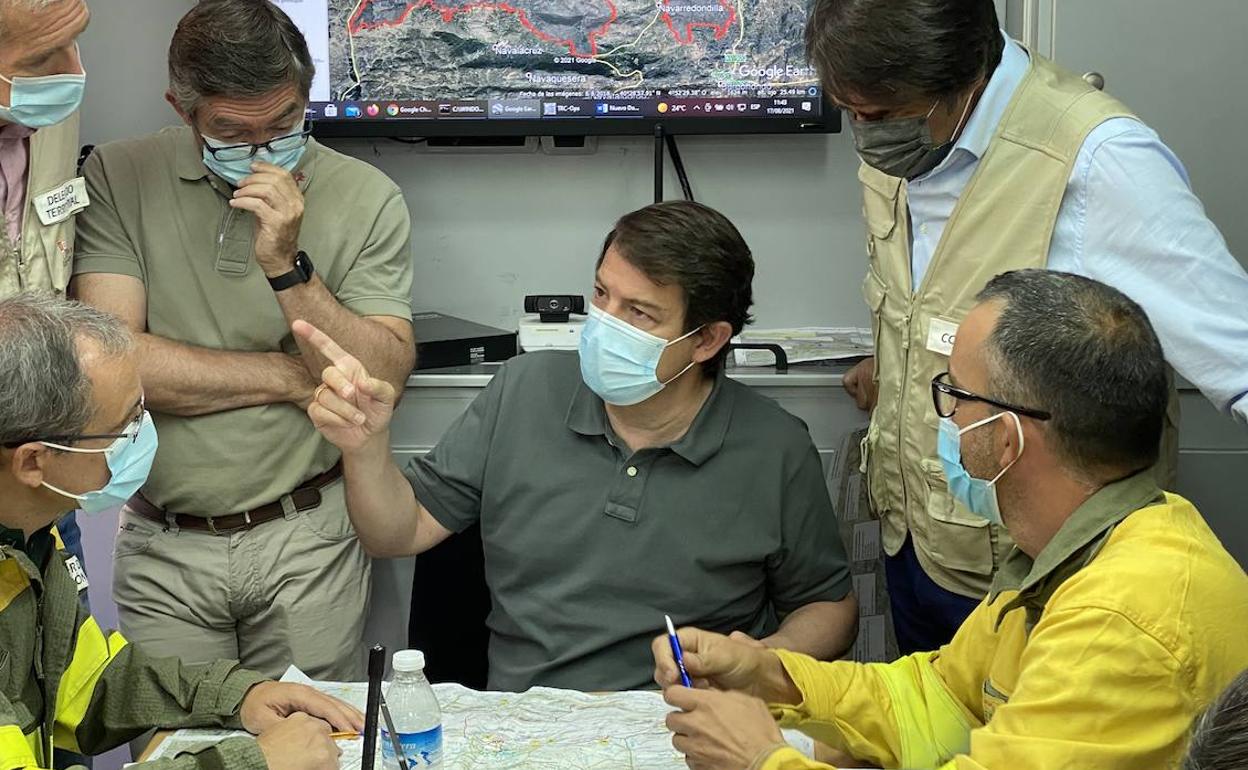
(375, 346)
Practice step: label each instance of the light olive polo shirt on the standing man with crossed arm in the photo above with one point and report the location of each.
(160, 217)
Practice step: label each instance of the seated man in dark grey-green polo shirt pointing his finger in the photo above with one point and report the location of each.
(617, 485)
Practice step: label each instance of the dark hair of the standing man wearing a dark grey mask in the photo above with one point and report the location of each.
(899, 51)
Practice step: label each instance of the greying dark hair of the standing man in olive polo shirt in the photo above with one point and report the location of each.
(236, 48)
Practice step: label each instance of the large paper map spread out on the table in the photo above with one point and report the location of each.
(542, 728)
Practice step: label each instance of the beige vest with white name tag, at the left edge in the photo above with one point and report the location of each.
(43, 259)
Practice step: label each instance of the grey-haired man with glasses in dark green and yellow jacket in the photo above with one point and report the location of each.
(74, 432)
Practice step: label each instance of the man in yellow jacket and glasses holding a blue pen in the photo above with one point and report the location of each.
(1113, 623)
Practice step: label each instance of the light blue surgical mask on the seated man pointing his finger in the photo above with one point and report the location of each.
(621, 363)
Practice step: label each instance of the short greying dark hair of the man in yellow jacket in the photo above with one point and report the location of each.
(1088, 355)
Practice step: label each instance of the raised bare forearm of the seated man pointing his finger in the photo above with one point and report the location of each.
(380, 501)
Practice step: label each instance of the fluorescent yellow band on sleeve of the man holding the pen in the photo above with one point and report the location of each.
(932, 724)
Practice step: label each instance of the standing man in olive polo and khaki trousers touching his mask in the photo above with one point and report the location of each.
(204, 240)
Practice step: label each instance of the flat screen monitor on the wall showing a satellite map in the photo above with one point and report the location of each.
(462, 68)
